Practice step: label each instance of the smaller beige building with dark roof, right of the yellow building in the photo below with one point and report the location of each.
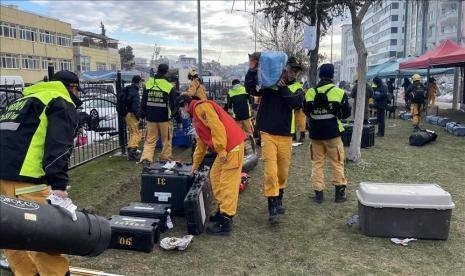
(94, 52)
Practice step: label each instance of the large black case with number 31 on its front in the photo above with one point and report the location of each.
(159, 185)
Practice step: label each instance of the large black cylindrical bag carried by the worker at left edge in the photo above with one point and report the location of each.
(26, 225)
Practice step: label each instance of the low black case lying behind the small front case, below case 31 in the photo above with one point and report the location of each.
(148, 210)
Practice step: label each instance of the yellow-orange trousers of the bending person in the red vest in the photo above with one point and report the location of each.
(225, 180)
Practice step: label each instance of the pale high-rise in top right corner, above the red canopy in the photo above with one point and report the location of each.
(442, 21)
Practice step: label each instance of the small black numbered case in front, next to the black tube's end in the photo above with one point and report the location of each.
(133, 233)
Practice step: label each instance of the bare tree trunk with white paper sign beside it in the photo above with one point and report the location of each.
(354, 149)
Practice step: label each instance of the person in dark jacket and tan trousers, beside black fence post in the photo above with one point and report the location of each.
(132, 117)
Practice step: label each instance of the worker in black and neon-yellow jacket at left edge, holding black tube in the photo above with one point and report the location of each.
(37, 133)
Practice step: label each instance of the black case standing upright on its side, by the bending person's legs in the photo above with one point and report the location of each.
(197, 203)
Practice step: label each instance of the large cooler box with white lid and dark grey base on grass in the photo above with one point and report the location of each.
(404, 210)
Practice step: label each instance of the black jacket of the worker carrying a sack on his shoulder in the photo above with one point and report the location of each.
(275, 113)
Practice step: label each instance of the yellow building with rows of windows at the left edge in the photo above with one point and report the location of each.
(29, 43)
